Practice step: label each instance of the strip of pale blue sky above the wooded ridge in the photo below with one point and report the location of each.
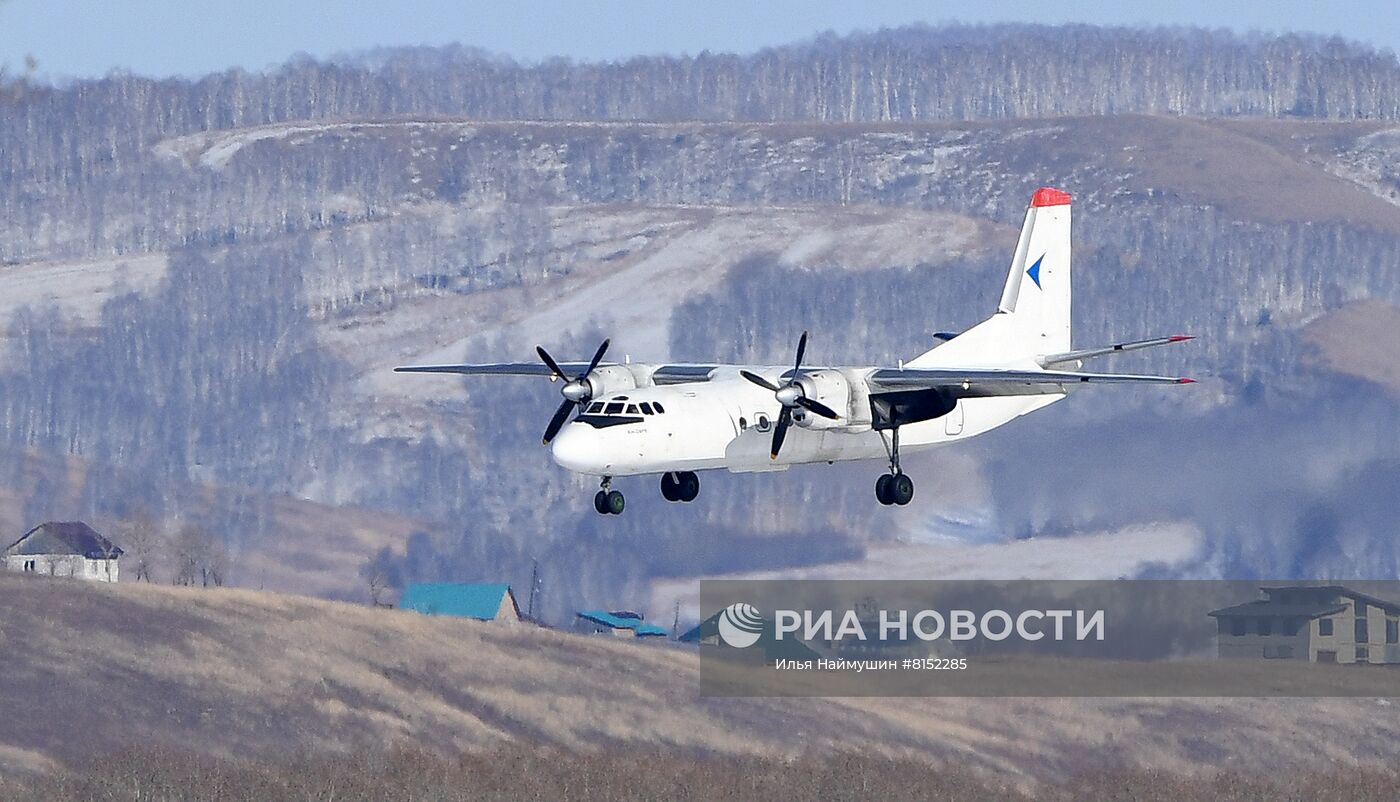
(86, 38)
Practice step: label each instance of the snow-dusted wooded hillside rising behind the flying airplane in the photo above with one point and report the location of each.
(205, 285)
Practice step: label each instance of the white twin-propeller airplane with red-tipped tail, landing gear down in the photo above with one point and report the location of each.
(675, 421)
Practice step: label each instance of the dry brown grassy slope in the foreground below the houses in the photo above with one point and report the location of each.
(253, 674)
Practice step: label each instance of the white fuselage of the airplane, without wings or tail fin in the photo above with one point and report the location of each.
(727, 425)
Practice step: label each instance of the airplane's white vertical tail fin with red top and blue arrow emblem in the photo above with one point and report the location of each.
(1034, 316)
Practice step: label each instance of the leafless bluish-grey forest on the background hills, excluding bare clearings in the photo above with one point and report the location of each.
(380, 181)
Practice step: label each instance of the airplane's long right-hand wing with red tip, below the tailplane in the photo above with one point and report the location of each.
(1002, 381)
